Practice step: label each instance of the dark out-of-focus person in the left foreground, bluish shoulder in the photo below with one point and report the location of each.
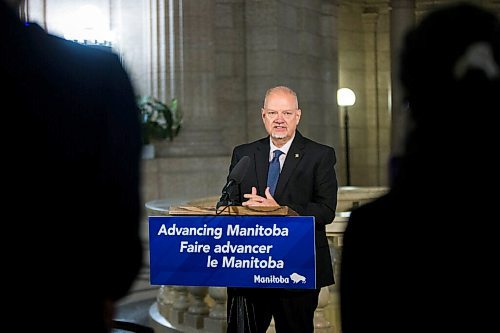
(70, 180)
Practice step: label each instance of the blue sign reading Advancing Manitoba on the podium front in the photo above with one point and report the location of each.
(233, 251)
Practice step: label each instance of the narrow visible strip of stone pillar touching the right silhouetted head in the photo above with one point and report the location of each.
(402, 18)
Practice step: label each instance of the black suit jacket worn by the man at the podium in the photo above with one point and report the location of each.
(307, 184)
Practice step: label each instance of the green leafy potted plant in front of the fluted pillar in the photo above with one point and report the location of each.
(159, 121)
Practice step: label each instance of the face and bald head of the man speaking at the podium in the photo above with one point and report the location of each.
(281, 116)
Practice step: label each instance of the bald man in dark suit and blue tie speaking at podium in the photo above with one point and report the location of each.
(307, 183)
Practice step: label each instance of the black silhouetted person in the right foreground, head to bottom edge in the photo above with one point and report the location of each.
(422, 258)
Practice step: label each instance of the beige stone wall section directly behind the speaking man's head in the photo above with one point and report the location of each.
(293, 43)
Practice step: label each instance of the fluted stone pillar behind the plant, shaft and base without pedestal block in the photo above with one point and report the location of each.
(182, 38)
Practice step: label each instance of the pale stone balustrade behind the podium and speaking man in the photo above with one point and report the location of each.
(203, 309)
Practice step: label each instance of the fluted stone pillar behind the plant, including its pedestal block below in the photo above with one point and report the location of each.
(183, 66)
